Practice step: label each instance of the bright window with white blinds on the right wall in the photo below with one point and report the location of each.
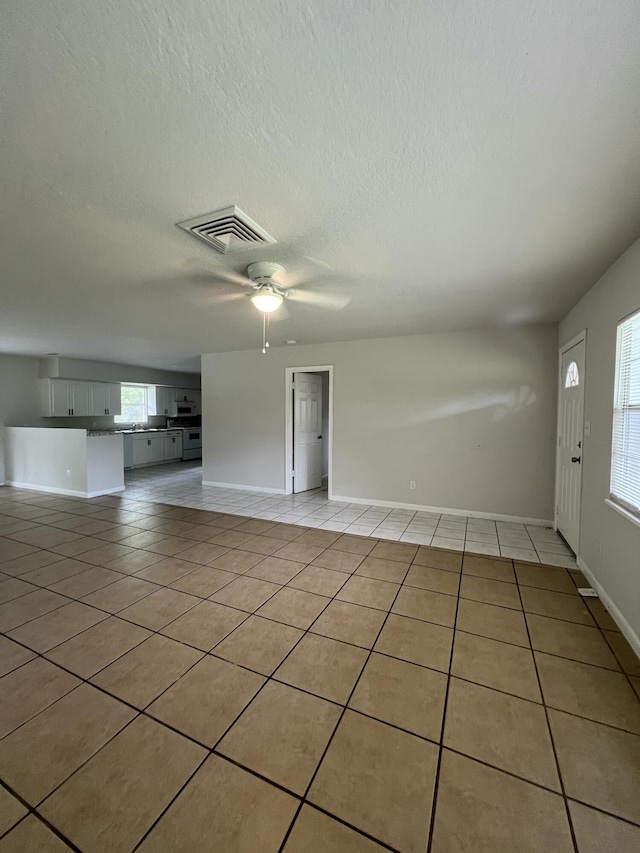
(625, 451)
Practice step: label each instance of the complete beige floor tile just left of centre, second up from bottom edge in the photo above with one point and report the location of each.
(282, 735)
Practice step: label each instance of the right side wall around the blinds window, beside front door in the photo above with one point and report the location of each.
(609, 543)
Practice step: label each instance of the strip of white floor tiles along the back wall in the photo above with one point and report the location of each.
(181, 485)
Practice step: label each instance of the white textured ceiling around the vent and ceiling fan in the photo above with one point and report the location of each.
(450, 164)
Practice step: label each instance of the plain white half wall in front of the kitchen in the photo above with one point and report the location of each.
(64, 461)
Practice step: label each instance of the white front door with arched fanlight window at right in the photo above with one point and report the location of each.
(570, 437)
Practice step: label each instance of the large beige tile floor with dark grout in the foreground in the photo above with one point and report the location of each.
(179, 679)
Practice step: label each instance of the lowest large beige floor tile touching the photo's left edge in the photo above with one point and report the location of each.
(44, 752)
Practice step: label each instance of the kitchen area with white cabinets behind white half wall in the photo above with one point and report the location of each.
(93, 431)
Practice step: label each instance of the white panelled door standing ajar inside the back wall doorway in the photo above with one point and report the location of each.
(307, 431)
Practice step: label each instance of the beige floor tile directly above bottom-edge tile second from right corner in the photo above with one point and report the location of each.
(504, 731)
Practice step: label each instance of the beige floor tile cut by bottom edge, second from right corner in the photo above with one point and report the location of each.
(482, 810)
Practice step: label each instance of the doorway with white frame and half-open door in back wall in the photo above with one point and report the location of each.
(308, 428)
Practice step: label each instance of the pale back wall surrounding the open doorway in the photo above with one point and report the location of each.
(470, 416)
